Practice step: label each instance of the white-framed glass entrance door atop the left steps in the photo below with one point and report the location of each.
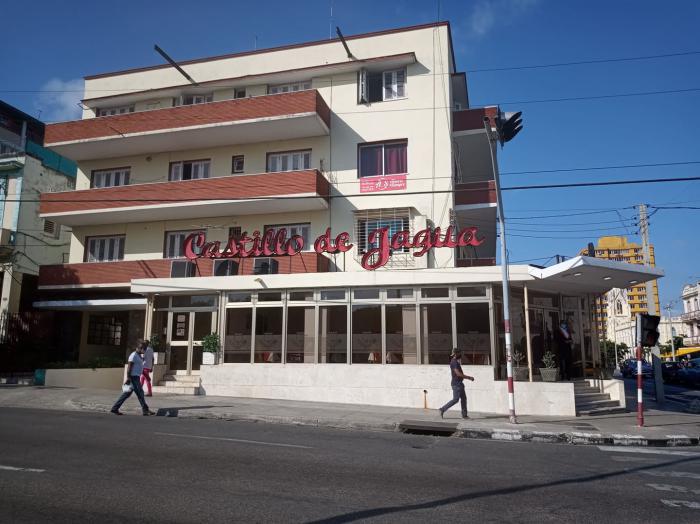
(187, 331)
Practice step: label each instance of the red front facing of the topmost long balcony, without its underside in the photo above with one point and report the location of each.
(268, 106)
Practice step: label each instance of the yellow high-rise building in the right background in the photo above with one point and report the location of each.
(621, 250)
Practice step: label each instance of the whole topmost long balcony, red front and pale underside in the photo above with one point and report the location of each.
(258, 119)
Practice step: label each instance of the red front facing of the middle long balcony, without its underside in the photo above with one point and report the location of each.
(289, 183)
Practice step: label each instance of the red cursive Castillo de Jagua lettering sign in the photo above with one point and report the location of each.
(380, 244)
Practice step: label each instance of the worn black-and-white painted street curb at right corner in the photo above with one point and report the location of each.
(577, 438)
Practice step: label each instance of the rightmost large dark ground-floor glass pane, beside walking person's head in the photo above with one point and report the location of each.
(474, 333)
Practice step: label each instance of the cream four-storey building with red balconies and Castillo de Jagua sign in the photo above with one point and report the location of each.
(307, 204)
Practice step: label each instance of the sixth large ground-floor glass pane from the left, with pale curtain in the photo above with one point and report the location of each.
(401, 334)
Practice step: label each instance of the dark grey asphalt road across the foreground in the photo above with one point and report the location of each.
(90, 467)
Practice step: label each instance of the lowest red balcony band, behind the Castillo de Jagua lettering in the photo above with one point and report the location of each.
(122, 272)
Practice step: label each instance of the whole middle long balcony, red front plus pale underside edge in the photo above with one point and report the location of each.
(208, 197)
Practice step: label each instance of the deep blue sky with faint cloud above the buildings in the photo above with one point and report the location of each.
(52, 45)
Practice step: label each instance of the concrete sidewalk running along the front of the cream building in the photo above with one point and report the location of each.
(663, 428)
